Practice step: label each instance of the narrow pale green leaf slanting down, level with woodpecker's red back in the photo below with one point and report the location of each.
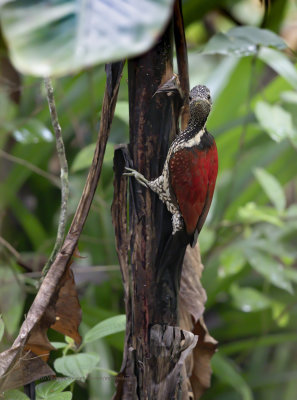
(272, 188)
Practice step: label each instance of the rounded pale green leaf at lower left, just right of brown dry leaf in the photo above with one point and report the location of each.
(77, 366)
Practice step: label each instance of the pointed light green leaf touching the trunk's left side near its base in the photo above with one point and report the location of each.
(105, 328)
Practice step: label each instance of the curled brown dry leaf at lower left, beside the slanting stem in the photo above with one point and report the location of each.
(26, 360)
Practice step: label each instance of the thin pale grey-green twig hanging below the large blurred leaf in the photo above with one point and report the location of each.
(64, 175)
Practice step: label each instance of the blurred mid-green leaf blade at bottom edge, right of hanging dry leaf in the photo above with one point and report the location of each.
(228, 373)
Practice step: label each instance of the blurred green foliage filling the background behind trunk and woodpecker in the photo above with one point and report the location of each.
(248, 245)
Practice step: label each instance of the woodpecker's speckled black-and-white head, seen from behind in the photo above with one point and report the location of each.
(200, 102)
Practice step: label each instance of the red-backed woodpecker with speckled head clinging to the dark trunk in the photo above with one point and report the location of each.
(187, 182)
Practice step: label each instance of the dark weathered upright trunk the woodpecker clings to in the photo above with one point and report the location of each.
(155, 347)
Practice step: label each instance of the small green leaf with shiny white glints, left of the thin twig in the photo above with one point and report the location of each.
(32, 131)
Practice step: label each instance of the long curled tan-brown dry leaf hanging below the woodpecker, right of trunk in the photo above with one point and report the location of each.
(192, 298)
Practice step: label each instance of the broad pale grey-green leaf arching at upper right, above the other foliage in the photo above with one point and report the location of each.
(242, 41)
